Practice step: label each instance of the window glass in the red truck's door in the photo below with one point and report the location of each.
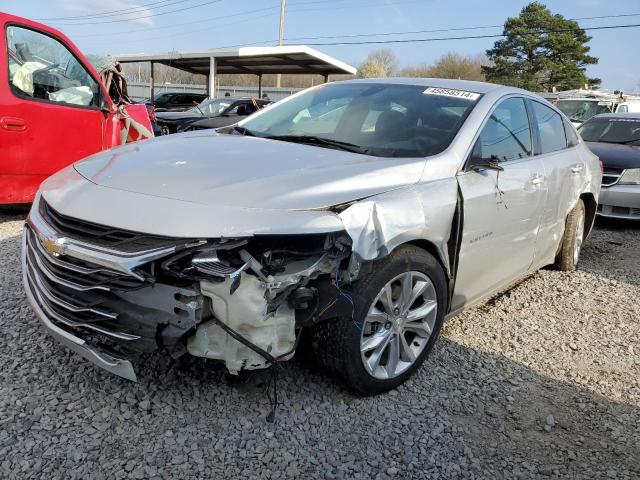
(42, 68)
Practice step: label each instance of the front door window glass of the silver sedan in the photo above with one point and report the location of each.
(506, 135)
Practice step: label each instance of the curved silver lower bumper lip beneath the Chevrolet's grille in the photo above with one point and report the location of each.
(104, 360)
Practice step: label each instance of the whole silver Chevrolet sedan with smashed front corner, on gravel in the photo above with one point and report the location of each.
(348, 220)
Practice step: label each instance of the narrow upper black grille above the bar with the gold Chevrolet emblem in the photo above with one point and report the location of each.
(101, 235)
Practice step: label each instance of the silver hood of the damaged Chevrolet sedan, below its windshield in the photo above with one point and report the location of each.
(239, 171)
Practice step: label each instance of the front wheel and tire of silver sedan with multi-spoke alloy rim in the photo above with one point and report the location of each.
(409, 321)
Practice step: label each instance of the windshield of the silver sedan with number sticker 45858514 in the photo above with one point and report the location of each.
(376, 119)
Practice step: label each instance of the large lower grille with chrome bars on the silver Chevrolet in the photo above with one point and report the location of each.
(74, 293)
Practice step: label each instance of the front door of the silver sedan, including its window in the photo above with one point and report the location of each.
(502, 209)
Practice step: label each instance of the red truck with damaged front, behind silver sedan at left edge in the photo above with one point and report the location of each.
(55, 108)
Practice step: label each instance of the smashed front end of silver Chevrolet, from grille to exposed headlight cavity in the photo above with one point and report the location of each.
(114, 294)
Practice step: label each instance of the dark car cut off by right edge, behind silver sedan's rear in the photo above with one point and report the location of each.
(615, 138)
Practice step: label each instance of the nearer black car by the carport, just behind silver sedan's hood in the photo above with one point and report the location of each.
(211, 113)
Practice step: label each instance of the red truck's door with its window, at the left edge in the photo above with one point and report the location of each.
(50, 116)
